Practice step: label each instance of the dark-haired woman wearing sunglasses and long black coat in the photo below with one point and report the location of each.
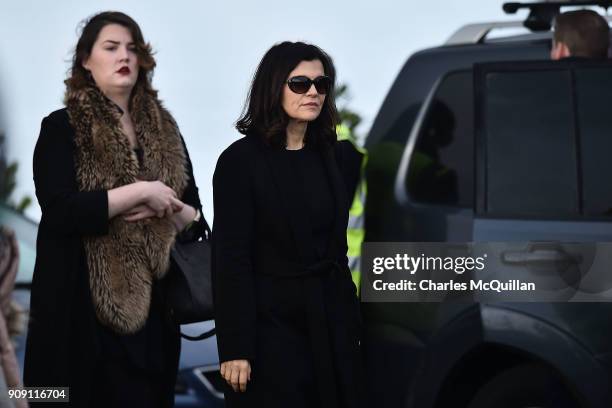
(287, 315)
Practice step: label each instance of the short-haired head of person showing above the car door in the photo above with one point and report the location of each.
(580, 34)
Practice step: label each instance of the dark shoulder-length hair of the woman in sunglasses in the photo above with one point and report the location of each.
(263, 113)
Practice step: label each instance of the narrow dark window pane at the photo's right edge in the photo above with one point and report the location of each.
(594, 92)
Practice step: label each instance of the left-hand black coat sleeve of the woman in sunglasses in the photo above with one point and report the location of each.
(233, 234)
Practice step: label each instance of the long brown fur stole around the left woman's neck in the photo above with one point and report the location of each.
(123, 264)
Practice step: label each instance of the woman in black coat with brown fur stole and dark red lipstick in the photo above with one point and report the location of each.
(115, 185)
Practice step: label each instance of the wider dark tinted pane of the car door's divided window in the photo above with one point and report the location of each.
(530, 145)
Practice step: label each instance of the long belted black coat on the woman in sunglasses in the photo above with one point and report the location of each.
(294, 318)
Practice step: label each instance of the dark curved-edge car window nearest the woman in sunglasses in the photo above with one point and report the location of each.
(441, 167)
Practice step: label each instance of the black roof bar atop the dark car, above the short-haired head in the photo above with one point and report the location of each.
(541, 15)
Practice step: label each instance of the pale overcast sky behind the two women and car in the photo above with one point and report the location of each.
(206, 53)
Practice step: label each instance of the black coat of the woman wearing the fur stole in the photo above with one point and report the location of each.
(63, 344)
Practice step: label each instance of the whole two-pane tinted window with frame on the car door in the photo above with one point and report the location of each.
(546, 138)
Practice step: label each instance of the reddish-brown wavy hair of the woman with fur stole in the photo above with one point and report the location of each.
(79, 77)
